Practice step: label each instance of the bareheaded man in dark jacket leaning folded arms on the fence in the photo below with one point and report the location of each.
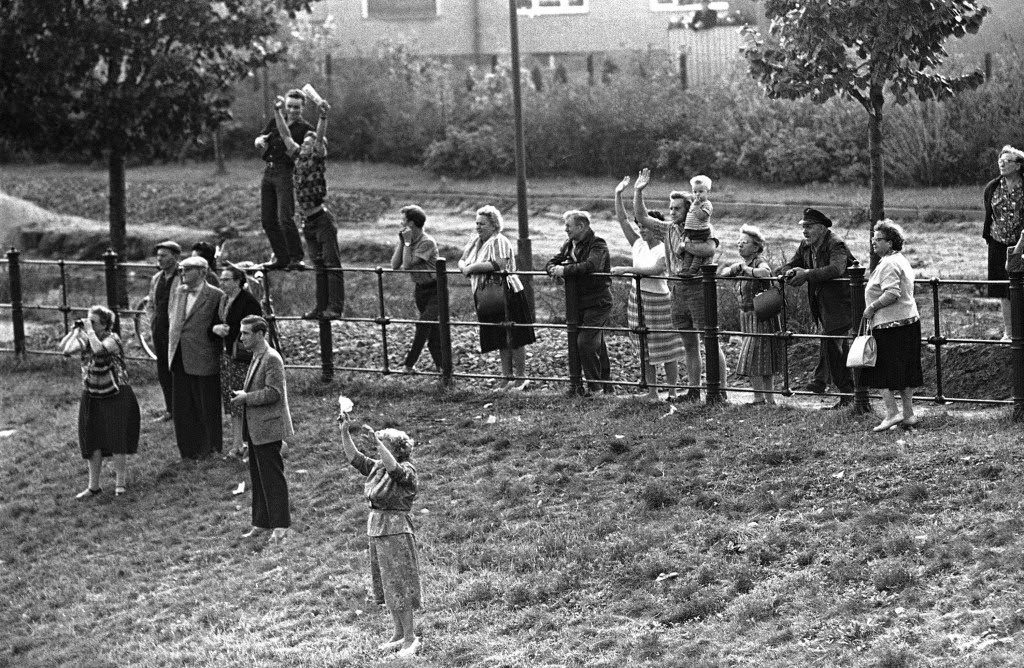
(582, 257)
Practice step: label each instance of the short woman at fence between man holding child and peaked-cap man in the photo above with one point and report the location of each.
(760, 357)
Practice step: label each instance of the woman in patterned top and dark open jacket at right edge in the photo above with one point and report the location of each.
(1004, 223)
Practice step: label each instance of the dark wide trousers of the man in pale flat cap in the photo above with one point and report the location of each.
(197, 412)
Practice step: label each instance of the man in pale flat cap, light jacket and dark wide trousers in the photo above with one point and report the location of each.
(194, 351)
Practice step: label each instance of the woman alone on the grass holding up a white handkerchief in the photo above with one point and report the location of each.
(391, 489)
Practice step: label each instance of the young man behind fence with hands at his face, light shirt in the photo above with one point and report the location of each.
(418, 250)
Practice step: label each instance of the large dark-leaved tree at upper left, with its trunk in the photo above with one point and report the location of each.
(114, 78)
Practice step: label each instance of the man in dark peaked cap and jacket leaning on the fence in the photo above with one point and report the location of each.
(820, 260)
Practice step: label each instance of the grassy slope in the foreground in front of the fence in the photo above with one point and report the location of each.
(563, 533)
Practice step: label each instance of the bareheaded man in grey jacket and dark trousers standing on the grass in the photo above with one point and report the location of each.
(267, 422)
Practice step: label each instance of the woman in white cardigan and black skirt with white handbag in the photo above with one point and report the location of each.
(895, 323)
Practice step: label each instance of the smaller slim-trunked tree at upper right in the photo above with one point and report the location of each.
(867, 51)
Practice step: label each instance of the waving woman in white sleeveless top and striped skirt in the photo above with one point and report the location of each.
(649, 261)
